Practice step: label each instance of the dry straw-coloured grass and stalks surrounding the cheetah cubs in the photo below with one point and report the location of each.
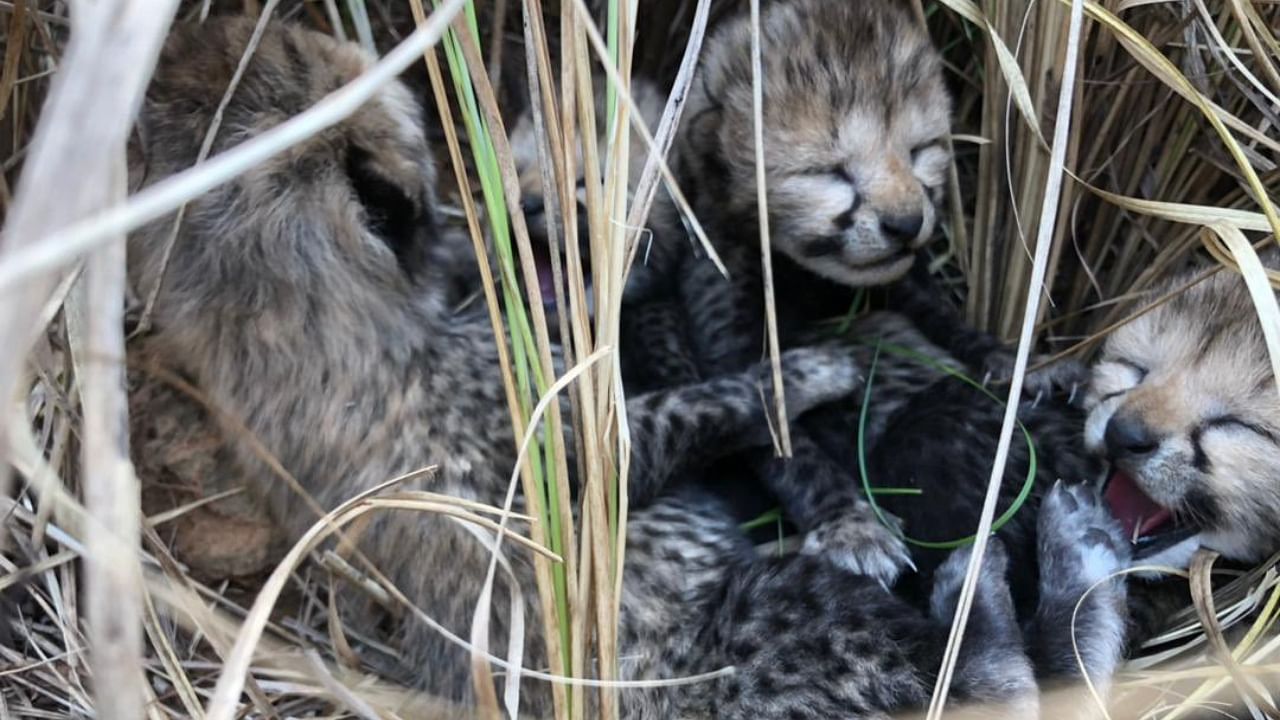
(1171, 148)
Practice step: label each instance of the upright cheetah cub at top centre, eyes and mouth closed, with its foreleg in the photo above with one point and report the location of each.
(856, 117)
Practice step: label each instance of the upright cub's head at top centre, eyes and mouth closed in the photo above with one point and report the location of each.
(856, 126)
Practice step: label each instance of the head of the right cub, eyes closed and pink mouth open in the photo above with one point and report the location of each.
(1185, 404)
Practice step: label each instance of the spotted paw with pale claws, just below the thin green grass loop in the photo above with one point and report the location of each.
(861, 544)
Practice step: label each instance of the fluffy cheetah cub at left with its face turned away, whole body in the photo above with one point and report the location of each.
(301, 300)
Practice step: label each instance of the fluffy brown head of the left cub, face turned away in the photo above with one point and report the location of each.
(339, 231)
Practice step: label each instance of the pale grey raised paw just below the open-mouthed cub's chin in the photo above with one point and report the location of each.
(1081, 544)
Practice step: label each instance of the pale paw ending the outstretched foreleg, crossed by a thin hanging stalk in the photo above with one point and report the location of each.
(816, 376)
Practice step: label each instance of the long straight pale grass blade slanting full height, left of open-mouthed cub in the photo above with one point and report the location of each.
(1049, 213)
